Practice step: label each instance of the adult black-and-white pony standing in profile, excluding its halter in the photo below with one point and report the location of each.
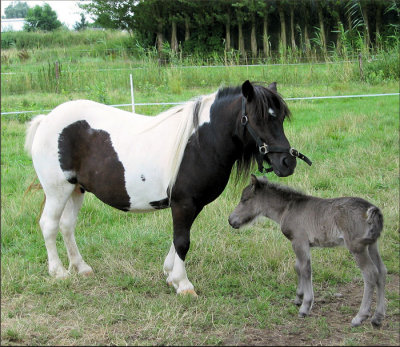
(180, 159)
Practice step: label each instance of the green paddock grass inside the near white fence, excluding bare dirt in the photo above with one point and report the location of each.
(245, 279)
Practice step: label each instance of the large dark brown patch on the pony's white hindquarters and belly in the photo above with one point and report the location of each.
(89, 154)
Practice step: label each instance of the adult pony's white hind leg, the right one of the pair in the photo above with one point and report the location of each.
(67, 226)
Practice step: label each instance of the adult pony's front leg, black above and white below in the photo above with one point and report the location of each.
(183, 217)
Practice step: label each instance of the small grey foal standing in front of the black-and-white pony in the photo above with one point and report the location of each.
(310, 221)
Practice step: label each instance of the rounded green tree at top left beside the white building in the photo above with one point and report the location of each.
(41, 18)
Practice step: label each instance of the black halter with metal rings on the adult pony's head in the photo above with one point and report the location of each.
(263, 148)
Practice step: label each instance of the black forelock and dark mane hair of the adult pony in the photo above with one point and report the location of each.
(264, 98)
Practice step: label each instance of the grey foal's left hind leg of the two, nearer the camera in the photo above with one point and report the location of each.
(370, 276)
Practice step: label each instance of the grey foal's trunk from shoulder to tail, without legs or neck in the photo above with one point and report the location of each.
(330, 222)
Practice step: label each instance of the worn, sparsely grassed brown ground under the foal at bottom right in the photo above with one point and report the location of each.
(329, 322)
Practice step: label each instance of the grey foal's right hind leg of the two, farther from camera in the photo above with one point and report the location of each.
(380, 292)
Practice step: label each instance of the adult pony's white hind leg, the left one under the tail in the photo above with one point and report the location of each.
(56, 199)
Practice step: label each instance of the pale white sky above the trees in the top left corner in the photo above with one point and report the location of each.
(68, 12)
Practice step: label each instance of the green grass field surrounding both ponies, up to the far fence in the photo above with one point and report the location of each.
(245, 279)
